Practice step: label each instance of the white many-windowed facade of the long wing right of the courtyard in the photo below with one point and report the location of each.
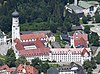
(68, 57)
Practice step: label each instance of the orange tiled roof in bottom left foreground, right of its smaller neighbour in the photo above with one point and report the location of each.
(29, 69)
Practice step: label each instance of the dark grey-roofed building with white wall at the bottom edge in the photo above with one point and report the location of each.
(73, 68)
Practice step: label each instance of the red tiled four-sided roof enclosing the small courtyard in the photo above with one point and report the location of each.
(40, 50)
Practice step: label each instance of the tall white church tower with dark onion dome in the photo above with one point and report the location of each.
(15, 26)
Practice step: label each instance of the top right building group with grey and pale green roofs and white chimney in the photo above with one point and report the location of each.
(83, 7)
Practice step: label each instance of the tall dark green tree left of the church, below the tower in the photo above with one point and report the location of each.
(10, 58)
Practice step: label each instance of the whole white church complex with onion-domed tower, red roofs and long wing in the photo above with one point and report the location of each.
(37, 44)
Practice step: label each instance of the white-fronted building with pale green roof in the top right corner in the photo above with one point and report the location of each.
(89, 7)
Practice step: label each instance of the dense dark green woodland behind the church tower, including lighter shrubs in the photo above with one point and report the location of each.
(37, 15)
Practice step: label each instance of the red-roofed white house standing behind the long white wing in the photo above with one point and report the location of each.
(79, 40)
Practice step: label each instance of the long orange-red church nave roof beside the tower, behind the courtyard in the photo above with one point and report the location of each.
(32, 36)
